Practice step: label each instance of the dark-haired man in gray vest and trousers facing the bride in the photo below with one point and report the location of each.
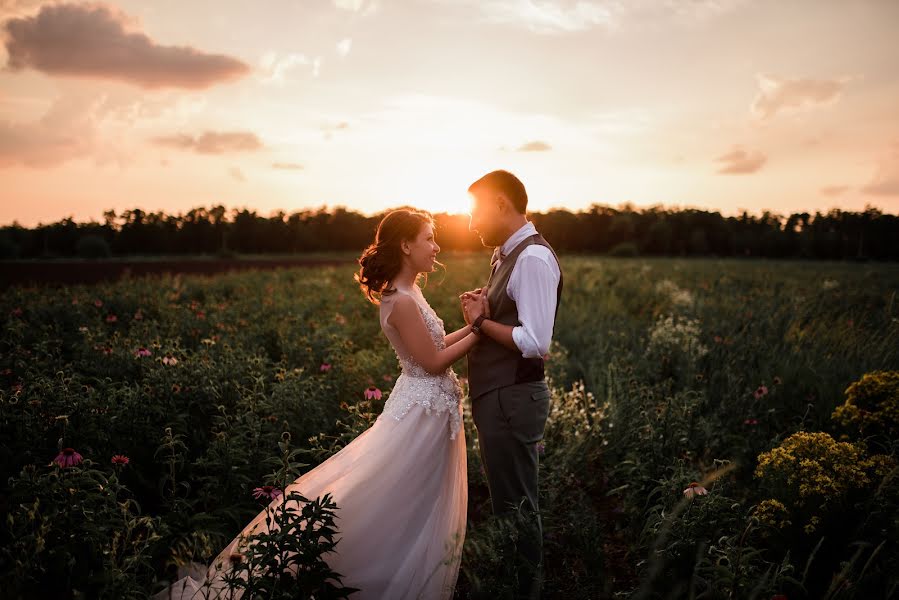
(514, 314)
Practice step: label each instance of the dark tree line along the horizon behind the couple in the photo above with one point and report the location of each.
(623, 231)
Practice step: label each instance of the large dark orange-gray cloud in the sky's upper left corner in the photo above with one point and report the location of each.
(91, 40)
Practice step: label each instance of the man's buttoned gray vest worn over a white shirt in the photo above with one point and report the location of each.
(490, 364)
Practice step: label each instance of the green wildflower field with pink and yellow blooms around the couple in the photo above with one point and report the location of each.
(718, 428)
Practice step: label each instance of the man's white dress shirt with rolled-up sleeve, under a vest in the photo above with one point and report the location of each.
(532, 285)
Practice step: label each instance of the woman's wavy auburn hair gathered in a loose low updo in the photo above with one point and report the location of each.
(382, 260)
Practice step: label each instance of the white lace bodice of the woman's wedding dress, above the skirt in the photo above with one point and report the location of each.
(436, 393)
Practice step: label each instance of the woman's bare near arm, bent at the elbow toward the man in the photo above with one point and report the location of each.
(407, 319)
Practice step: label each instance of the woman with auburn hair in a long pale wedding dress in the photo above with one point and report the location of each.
(401, 486)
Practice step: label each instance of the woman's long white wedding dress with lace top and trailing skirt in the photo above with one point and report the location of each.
(401, 489)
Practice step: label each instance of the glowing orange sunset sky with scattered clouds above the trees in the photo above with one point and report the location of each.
(728, 105)
